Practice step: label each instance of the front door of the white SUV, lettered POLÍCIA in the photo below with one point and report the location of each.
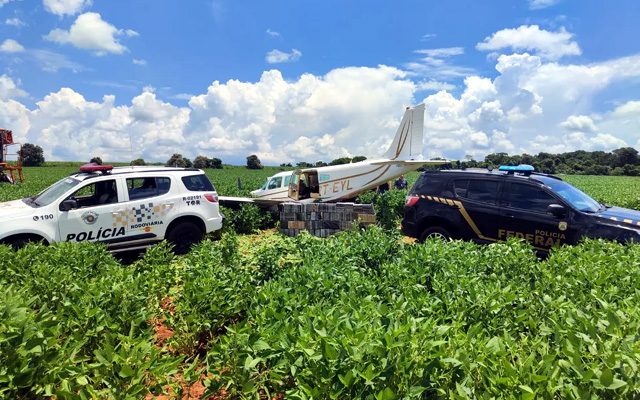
(90, 219)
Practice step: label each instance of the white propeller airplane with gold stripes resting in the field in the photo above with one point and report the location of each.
(347, 181)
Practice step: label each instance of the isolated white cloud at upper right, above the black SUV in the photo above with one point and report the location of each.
(551, 45)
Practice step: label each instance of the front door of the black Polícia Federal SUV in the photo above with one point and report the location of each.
(523, 214)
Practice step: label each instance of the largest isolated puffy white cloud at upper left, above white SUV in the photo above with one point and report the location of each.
(91, 32)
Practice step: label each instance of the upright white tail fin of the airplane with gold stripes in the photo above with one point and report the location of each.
(407, 144)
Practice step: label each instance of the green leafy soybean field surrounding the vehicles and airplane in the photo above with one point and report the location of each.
(361, 315)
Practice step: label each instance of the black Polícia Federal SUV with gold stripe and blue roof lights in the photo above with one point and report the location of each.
(493, 205)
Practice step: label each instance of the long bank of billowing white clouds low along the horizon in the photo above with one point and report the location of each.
(531, 105)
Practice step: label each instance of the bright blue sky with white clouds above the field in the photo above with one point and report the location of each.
(316, 80)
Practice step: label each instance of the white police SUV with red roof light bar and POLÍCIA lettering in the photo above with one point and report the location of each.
(126, 208)
